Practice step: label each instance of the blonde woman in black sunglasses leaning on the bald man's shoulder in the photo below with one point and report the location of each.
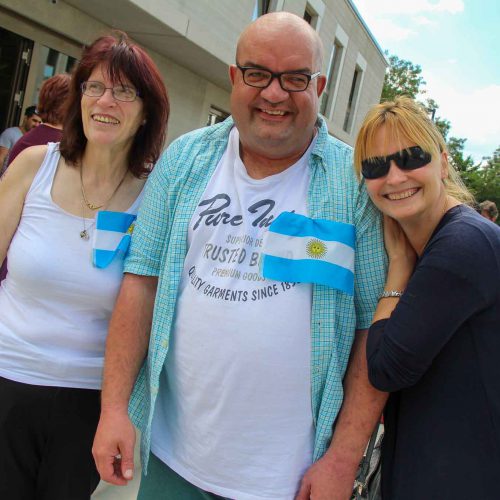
(435, 342)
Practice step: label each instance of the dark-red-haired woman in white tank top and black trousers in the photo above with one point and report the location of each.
(67, 211)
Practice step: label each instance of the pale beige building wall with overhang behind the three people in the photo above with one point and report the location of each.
(193, 42)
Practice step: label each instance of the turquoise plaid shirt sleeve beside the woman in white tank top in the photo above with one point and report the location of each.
(151, 227)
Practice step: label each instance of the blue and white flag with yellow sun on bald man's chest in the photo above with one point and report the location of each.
(300, 249)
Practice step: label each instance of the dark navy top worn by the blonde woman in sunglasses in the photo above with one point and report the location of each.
(439, 355)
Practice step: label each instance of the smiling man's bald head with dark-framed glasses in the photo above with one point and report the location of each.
(275, 123)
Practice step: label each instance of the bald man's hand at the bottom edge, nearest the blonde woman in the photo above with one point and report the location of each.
(328, 479)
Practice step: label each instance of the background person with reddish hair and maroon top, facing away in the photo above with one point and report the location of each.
(51, 104)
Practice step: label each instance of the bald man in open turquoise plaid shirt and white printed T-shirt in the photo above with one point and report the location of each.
(243, 377)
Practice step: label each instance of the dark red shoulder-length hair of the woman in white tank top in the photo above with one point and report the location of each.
(123, 60)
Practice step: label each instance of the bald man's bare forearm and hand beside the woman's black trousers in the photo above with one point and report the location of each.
(126, 348)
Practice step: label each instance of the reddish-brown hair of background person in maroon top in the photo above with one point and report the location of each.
(52, 99)
